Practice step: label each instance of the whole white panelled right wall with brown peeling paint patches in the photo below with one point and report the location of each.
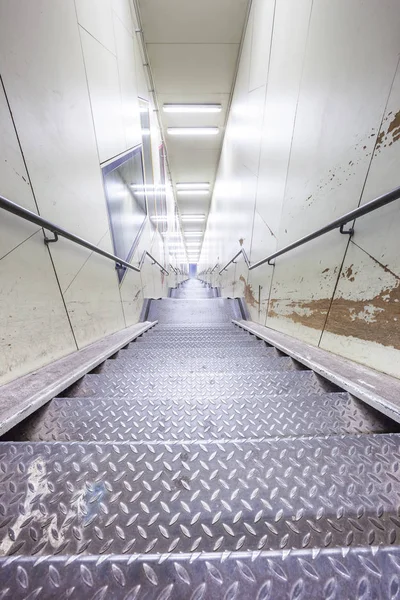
(312, 133)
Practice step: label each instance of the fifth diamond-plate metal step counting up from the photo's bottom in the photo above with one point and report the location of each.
(198, 365)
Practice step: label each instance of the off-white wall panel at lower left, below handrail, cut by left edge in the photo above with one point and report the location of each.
(34, 328)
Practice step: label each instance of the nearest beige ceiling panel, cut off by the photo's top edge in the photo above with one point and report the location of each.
(188, 21)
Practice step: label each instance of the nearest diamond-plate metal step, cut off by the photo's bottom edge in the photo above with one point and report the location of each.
(333, 574)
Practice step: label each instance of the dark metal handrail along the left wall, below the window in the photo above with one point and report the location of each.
(26, 214)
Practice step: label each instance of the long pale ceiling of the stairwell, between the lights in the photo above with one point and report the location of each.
(193, 49)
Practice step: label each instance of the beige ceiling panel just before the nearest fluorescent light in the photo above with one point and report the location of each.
(194, 68)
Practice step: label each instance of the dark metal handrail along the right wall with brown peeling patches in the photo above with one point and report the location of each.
(339, 223)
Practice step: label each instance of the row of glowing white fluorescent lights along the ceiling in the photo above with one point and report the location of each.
(192, 189)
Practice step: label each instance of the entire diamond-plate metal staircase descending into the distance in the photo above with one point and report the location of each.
(200, 463)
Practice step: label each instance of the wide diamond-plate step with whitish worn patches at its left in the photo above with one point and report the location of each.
(100, 498)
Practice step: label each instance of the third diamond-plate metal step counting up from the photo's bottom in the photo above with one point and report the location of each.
(123, 419)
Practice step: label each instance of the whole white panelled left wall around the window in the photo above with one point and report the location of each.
(71, 74)
